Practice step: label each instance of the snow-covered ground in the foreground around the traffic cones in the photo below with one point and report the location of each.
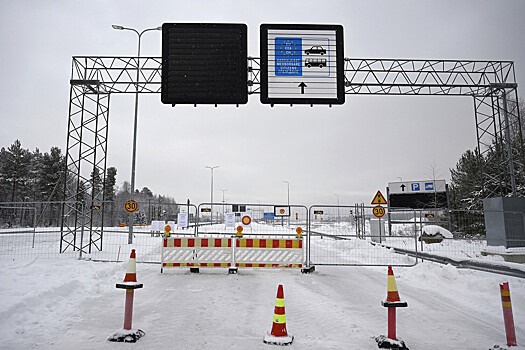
(73, 304)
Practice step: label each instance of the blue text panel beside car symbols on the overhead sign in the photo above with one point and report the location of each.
(288, 57)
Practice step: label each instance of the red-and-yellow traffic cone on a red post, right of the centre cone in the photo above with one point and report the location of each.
(393, 301)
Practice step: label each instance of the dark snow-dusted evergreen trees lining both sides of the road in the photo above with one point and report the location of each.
(33, 176)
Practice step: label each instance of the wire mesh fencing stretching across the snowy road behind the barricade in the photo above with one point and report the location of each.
(333, 235)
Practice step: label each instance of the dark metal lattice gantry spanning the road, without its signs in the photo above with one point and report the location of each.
(492, 84)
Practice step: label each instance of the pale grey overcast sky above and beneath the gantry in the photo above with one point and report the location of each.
(347, 152)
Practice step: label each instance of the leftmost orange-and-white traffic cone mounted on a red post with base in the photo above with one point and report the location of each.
(126, 334)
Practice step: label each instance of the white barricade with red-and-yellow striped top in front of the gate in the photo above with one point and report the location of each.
(219, 252)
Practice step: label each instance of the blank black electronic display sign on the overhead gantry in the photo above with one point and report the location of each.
(204, 63)
